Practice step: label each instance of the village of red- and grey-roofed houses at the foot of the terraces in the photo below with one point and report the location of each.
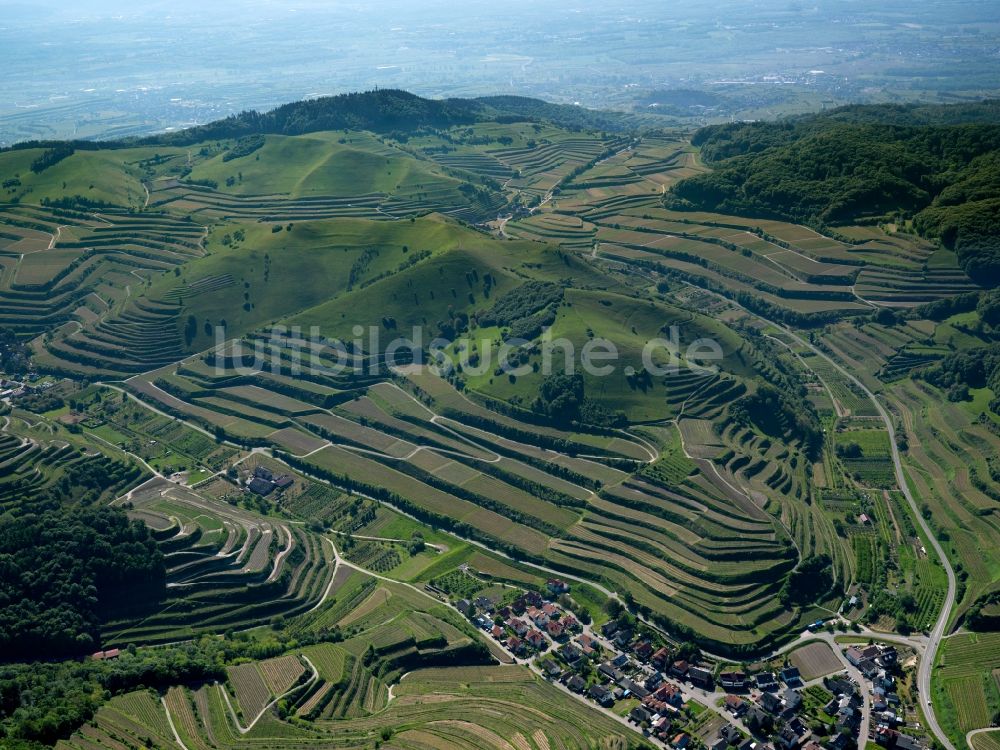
(681, 700)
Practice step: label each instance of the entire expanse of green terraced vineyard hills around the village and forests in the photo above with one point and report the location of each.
(219, 310)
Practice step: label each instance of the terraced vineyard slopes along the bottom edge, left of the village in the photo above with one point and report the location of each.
(338, 691)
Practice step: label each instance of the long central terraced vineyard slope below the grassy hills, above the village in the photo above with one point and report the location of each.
(687, 534)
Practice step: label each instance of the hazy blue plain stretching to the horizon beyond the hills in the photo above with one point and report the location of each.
(105, 68)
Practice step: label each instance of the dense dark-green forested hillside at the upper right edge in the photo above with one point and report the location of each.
(936, 166)
